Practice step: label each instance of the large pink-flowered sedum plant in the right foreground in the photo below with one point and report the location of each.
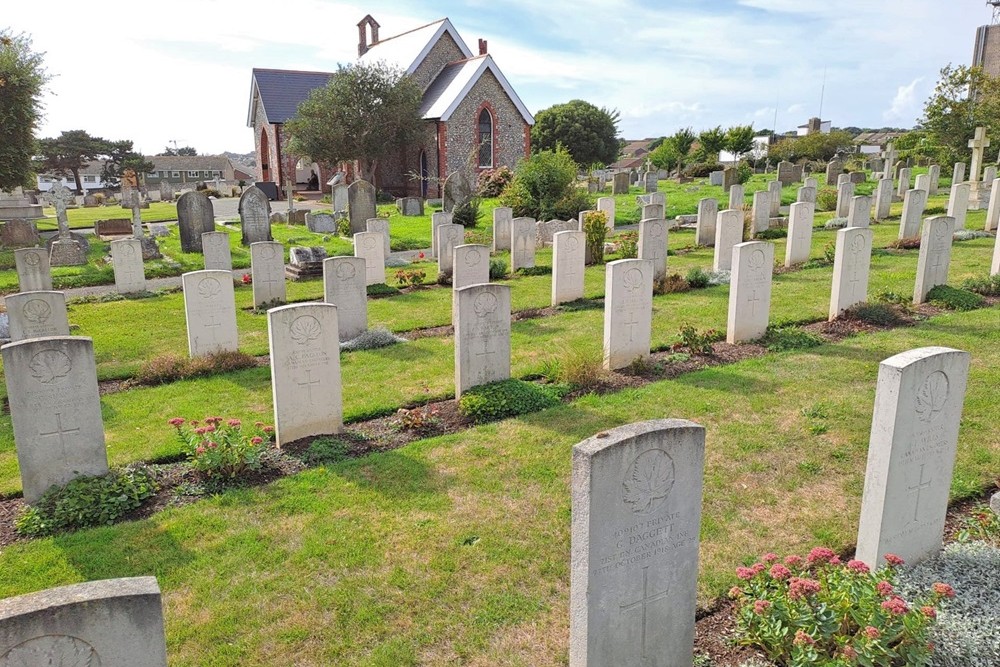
(819, 611)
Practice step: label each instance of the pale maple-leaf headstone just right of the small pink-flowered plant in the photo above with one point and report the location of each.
(305, 371)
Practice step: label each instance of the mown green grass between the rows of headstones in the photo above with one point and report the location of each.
(455, 549)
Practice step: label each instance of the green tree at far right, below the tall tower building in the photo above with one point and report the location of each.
(964, 98)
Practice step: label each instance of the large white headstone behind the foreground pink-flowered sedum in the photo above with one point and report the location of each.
(911, 454)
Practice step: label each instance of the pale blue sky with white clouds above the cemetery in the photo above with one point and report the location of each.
(180, 69)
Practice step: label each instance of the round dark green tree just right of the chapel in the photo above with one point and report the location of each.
(589, 133)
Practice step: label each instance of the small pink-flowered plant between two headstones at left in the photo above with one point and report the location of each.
(223, 448)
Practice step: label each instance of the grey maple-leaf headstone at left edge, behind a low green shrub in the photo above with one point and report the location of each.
(55, 408)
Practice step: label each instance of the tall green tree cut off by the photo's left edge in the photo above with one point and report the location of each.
(22, 78)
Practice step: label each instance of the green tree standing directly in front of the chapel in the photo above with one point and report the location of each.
(365, 113)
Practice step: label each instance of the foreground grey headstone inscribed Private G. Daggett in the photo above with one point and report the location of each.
(636, 507)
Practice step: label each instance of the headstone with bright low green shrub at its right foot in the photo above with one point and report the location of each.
(482, 336)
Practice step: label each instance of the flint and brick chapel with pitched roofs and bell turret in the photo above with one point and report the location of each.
(473, 116)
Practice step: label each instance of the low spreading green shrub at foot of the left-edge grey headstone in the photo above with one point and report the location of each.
(88, 501)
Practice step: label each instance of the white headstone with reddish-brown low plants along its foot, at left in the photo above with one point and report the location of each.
(210, 311)
